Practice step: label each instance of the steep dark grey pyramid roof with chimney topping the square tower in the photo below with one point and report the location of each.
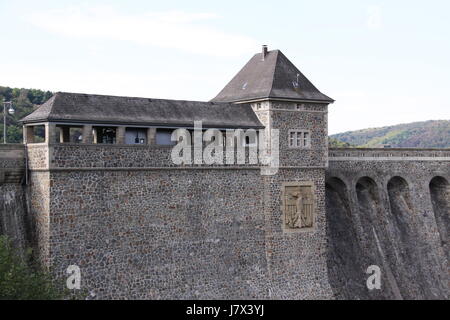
(274, 77)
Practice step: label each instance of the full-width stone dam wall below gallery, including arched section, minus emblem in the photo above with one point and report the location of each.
(140, 228)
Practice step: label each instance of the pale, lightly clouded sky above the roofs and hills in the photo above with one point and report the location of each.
(384, 62)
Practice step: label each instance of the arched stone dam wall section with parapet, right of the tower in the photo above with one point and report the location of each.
(389, 207)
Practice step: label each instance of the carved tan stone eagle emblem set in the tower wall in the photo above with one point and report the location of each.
(298, 205)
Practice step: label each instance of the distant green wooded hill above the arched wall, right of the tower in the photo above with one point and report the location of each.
(426, 134)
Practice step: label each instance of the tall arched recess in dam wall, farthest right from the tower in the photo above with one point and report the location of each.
(440, 198)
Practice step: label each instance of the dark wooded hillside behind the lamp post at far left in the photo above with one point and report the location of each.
(24, 102)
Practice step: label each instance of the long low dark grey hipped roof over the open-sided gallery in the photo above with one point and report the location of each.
(89, 108)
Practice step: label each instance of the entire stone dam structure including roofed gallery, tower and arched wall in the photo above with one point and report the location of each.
(140, 226)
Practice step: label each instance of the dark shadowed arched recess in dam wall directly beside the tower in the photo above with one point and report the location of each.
(345, 272)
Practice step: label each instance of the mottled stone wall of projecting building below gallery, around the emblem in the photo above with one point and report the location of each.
(140, 228)
